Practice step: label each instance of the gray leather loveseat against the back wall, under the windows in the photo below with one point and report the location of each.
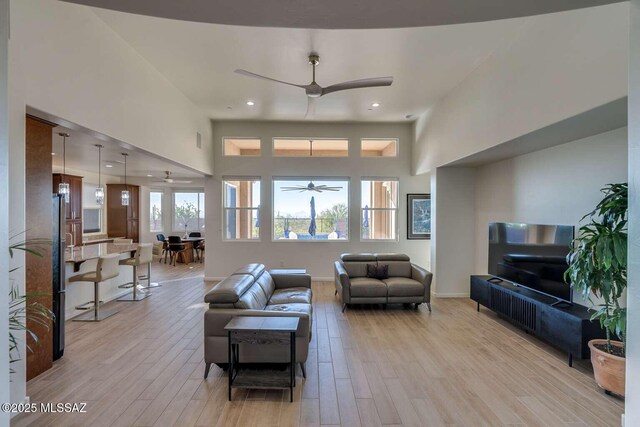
(407, 282)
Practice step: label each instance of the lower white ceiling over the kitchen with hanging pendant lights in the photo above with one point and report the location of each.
(82, 154)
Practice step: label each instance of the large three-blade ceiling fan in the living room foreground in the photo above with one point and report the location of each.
(314, 90)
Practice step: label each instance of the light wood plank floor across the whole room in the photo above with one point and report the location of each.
(366, 367)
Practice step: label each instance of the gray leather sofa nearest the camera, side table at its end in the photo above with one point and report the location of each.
(253, 291)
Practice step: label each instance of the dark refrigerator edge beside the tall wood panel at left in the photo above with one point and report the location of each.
(58, 288)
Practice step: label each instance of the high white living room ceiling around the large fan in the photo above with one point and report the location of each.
(200, 59)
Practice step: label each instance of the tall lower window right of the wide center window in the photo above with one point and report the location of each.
(379, 209)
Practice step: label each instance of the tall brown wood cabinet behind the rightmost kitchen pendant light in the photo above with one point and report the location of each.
(123, 221)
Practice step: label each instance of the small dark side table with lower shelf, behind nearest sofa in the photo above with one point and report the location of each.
(255, 330)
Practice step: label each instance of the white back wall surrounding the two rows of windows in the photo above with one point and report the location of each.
(317, 257)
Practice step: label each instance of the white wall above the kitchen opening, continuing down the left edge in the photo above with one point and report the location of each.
(65, 61)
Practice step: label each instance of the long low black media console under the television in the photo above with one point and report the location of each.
(564, 326)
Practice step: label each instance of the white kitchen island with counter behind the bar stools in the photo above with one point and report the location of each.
(81, 259)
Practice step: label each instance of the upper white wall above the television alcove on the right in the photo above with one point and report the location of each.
(563, 64)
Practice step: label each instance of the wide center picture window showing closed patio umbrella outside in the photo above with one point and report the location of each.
(309, 209)
